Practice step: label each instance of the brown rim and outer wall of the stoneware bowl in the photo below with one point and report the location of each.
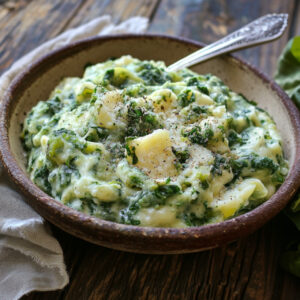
(161, 240)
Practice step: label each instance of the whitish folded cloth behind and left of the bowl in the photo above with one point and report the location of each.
(30, 257)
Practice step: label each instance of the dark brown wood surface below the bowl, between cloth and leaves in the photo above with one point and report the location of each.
(246, 269)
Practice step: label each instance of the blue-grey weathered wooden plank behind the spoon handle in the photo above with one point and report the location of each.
(207, 21)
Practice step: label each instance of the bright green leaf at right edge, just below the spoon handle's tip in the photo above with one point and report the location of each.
(288, 70)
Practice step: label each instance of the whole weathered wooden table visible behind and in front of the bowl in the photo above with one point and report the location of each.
(246, 269)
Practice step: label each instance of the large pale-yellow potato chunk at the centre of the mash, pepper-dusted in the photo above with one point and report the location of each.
(154, 154)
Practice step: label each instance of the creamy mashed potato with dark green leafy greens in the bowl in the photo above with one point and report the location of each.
(132, 143)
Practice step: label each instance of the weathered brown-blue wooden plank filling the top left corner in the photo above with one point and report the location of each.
(28, 26)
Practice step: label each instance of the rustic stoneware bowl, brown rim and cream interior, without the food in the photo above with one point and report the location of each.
(37, 81)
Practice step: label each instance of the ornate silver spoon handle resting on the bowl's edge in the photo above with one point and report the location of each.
(262, 30)
